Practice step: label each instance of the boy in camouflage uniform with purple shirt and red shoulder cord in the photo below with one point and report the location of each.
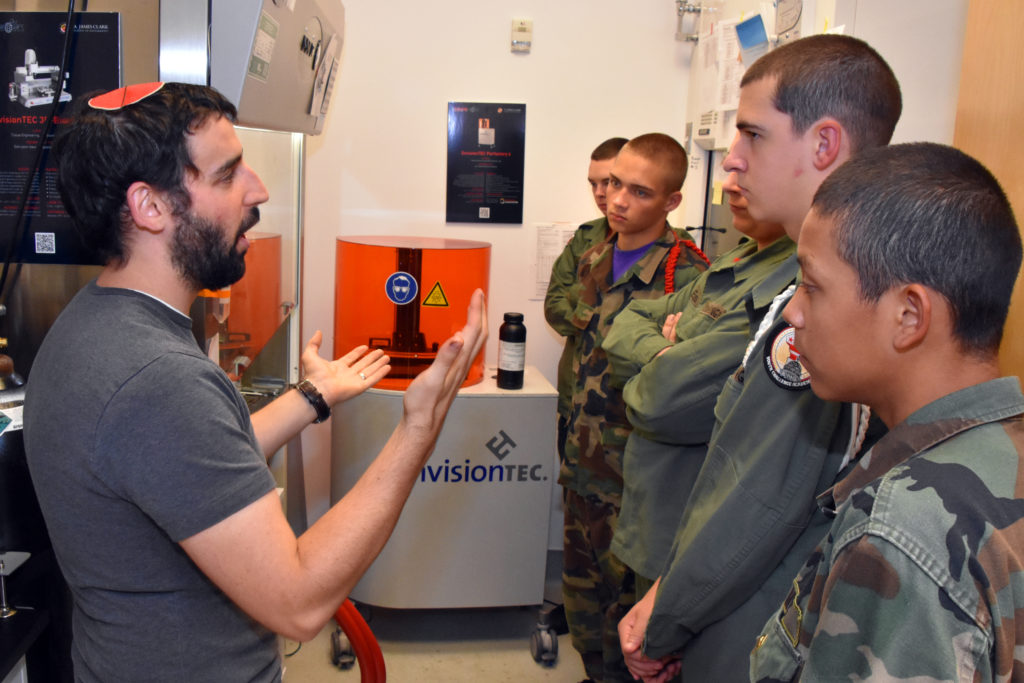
(643, 259)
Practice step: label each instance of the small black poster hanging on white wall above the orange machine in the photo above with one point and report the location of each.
(486, 144)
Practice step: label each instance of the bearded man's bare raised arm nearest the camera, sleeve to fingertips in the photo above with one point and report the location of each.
(292, 585)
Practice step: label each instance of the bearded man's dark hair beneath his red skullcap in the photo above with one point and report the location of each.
(104, 152)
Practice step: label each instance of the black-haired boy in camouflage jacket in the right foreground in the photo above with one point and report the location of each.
(910, 257)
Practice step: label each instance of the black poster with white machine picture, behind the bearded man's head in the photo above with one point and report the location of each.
(31, 50)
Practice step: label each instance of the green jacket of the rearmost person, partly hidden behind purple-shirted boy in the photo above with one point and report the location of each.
(561, 301)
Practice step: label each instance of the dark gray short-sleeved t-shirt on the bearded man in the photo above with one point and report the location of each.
(137, 441)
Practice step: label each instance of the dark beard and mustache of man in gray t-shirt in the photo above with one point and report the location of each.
(202, 258)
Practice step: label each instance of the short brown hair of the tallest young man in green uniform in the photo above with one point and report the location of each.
(834, 76)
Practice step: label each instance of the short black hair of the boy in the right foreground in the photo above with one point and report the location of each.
(929, 215)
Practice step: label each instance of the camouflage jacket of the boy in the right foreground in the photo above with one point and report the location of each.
(922, 574)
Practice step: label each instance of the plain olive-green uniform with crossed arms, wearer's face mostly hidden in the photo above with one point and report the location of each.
(670, 399)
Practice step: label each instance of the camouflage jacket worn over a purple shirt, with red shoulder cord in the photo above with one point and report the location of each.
(598, 425)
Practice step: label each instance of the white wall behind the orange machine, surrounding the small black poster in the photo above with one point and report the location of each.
(599, 68)
